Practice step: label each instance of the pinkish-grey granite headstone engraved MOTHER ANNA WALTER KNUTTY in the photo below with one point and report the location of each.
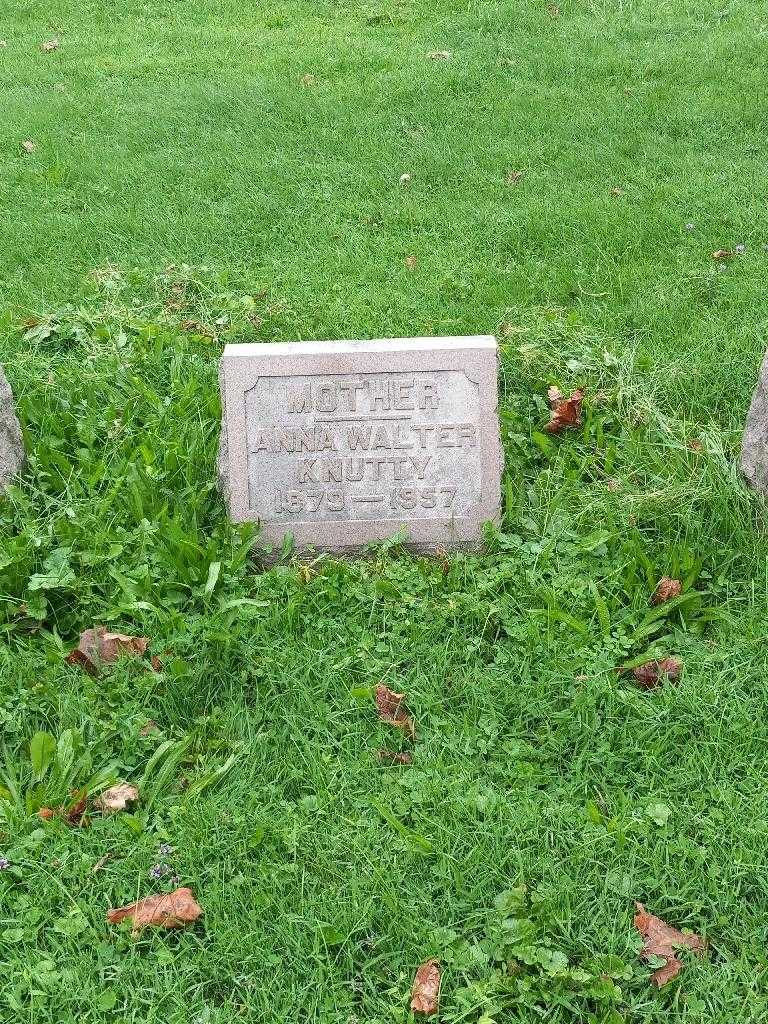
(344, 444)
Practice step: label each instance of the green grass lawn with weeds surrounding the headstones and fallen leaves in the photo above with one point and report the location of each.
(218, 172)
